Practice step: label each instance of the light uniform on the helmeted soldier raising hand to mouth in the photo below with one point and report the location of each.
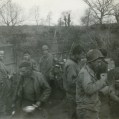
(87, 99)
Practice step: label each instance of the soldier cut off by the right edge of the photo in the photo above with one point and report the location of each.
(113, 79)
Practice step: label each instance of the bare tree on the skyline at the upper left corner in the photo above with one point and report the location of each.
(11, 14)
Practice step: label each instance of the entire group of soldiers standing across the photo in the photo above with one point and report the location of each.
(81, 85)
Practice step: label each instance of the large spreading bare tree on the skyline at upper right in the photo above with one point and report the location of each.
(100, 8)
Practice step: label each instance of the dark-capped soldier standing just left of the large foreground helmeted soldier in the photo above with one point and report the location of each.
(71, 71)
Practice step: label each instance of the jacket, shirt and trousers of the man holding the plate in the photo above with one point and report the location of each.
(31, 90)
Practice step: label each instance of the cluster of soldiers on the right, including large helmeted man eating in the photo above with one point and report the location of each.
(87, 86)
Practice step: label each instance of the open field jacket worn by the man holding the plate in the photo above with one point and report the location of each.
(42, 88)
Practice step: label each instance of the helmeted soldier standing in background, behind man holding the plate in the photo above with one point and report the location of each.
(46, 62)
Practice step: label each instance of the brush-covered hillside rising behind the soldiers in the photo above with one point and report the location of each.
(62, 39)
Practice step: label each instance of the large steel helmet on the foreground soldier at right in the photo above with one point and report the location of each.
(93, 55)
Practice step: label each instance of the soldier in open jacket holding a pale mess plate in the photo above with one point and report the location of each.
(32, 90)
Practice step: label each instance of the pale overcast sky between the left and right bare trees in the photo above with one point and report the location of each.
(56, 7)
